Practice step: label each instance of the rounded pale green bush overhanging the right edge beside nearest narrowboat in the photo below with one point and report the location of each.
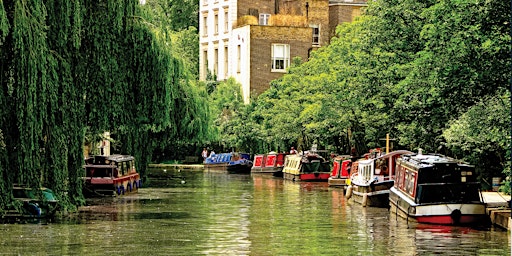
(482, 135)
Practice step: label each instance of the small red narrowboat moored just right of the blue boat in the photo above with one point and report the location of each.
(271, 163)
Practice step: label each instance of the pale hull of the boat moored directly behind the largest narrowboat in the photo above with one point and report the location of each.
(373, 195)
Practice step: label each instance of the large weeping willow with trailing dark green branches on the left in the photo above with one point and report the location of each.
(68, 67)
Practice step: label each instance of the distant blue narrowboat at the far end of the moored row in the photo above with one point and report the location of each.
(230, 162)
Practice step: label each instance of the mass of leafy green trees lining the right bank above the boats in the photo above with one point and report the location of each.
(407, 68)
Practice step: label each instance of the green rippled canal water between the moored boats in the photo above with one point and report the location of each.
(204, 213)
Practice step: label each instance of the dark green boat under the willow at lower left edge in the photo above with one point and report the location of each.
(31, 203)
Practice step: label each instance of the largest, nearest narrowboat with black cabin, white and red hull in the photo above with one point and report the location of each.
(436, 189)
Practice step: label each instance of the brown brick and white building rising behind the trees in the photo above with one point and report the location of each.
(254, 41)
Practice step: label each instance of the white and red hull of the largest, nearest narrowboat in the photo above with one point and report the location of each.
(443, 213)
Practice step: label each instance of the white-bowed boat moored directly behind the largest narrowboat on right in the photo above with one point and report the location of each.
(372, 178)
